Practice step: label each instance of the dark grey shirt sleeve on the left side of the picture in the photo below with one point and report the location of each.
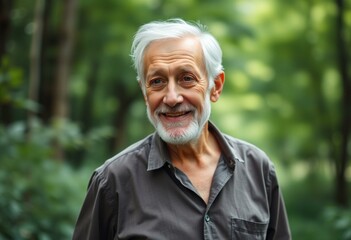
(98, 217)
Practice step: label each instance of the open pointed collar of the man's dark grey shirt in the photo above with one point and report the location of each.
(158, 155)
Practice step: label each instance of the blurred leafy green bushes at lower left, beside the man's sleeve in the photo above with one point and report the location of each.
(41, 197)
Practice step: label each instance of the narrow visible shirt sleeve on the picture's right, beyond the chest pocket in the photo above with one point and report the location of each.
(278, 228)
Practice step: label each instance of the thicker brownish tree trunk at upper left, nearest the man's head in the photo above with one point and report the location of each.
(60, 101)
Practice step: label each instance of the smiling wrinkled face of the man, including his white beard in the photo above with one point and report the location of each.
(177, 99)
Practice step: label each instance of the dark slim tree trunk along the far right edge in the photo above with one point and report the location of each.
(341, 181)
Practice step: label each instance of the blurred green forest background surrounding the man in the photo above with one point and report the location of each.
(69, 100)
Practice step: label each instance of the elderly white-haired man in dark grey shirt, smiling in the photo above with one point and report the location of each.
(188, 180)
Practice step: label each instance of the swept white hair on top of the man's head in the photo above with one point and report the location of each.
(176, 28)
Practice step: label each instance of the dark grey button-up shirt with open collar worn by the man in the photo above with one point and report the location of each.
(138, 194)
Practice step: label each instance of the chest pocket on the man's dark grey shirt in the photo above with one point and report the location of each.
(245, 230)
